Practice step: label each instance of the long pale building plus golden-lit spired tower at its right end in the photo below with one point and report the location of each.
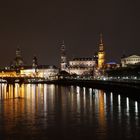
(88, 66)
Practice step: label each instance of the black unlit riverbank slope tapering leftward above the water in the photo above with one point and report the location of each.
(118, 86)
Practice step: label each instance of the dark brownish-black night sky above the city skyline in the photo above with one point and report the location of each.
(37, 27)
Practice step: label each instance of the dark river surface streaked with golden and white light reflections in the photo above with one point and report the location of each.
(56, 112)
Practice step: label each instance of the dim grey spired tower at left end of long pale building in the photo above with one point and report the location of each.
(63, 61)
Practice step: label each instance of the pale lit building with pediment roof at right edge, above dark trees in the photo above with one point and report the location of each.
(130, 60)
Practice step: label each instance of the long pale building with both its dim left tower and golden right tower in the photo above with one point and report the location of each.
(84, 66)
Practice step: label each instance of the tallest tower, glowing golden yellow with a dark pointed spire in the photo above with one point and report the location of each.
(101, 54)
